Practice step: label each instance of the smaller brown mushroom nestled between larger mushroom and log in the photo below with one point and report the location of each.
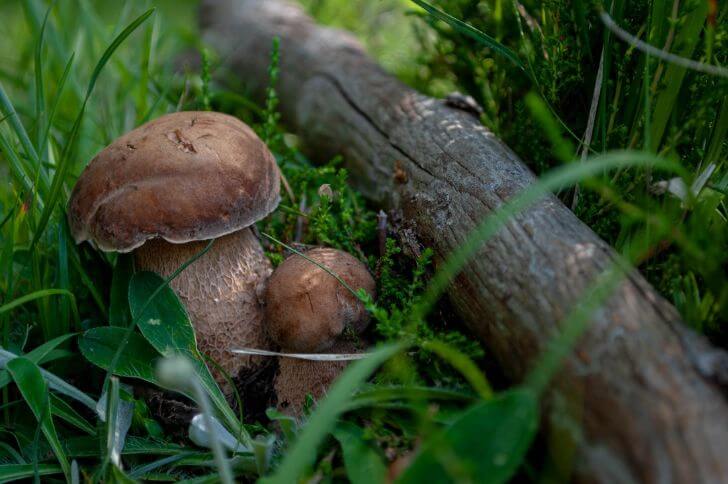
(309, 310)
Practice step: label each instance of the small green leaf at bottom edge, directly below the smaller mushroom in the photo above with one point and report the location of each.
(364, 463)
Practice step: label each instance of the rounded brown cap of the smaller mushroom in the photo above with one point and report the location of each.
(307, 309)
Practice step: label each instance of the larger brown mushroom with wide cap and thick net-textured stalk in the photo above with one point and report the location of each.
(167, 186)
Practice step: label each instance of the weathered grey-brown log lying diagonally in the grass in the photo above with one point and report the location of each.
(638, 396)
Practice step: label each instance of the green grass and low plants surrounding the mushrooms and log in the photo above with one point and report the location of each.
(76, 332)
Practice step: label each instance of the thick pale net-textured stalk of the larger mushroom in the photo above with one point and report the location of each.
(220, 294)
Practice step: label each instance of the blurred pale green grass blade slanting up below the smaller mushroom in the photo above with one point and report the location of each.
(323, 420)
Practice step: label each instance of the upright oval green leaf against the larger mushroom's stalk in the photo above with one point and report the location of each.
(165, 324)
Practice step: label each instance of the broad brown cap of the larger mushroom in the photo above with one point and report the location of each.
(183, 177)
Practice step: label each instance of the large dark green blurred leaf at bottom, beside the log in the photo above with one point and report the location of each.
(486, 444)
